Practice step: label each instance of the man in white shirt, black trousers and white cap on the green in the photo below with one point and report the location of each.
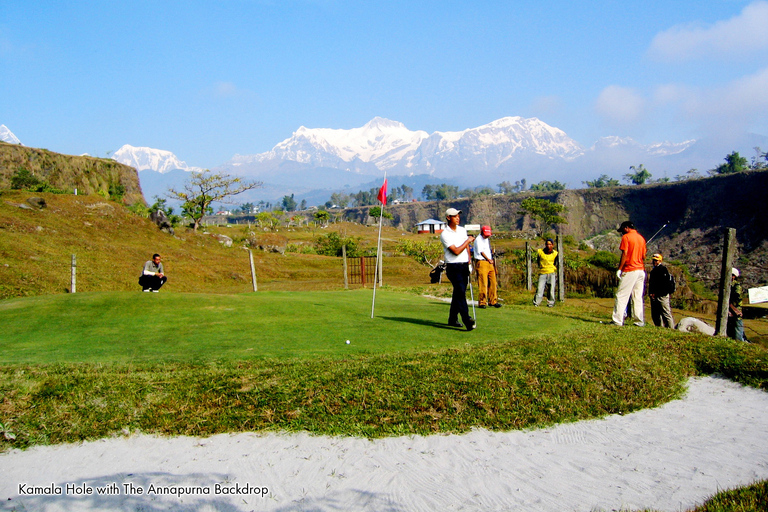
(455, 243)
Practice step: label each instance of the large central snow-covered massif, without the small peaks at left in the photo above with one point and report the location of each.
(388, 145)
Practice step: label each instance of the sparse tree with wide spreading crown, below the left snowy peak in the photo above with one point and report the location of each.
(203, 188)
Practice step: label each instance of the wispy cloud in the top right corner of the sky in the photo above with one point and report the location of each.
(739, 36)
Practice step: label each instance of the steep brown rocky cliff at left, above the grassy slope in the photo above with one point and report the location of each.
(87, 174)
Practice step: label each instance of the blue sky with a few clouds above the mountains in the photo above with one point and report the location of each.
(209, 79)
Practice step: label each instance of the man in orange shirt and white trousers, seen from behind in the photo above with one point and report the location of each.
(631, 275)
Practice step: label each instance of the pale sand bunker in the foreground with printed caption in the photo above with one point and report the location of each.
(669, 458)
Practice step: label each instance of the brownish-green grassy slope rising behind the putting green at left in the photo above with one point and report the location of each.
(112, 245)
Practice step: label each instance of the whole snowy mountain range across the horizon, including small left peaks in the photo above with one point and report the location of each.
(314, 162)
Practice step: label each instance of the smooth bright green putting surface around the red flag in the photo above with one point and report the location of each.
(125, 327)
